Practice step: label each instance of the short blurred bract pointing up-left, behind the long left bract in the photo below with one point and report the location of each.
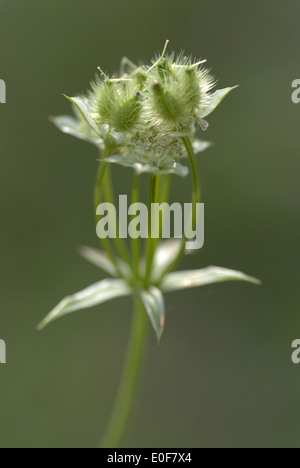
(101, 260)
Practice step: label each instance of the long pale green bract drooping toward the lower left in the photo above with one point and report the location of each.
(93, 295)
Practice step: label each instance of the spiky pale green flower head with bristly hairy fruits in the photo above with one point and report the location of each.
(142, 114)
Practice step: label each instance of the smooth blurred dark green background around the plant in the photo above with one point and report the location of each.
(222, 376)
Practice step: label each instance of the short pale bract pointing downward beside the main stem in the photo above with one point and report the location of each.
(154, 303)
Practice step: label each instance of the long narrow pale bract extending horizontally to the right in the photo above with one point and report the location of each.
(195, 278)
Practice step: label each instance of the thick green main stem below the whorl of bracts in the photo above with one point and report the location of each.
(129, 383)
